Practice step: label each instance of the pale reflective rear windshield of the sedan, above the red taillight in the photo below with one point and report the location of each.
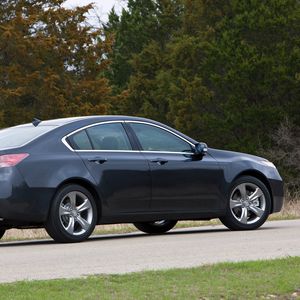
(14, 137)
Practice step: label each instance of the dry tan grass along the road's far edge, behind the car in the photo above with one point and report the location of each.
(291, 210)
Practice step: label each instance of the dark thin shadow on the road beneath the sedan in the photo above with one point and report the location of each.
(92, 238)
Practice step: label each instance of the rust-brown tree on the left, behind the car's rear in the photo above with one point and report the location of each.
(51, 62)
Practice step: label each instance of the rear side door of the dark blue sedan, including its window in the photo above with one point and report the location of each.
(121, 173)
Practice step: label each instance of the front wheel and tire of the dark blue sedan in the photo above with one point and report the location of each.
(248, 206)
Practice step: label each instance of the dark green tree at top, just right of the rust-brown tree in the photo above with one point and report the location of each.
(143, 22)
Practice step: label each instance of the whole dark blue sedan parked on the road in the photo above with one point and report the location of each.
(67, 175)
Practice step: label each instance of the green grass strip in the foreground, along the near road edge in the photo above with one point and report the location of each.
(279, 279)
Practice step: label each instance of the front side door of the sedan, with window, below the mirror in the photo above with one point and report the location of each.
(180, 180)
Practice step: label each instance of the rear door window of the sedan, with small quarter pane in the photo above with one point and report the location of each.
(111, 136)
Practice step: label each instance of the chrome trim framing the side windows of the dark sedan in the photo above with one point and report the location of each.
(64, 139)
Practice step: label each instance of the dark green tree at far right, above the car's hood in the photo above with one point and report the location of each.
(251, 67)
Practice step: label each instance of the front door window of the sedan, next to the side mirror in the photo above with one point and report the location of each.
(153, 138)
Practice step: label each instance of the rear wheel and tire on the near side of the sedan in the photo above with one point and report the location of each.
(73, 215)
